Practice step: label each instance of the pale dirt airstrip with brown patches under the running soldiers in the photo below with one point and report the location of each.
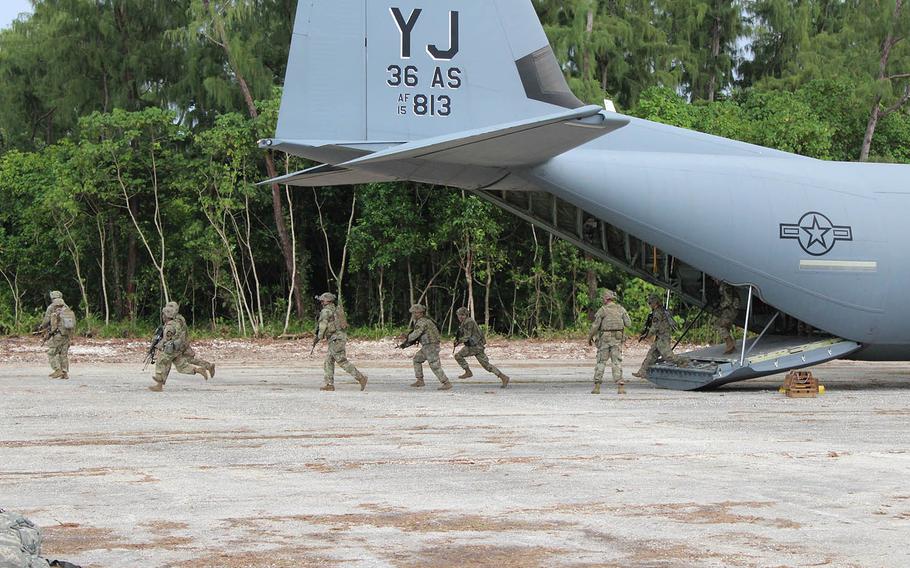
(258, 468)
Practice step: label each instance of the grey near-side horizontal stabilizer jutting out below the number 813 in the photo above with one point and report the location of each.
(523, 143)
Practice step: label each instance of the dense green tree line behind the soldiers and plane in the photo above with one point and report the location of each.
(128, 163)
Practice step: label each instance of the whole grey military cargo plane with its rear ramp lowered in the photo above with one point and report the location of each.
(469, 94)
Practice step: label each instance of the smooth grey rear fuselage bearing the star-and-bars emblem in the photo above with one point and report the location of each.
(821, 241)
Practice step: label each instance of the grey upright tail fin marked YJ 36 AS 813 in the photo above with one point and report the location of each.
(393, 71)
